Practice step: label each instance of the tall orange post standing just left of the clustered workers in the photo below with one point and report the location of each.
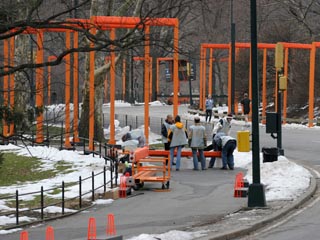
(146, 82)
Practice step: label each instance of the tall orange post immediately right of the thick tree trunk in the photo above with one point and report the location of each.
(112, 87)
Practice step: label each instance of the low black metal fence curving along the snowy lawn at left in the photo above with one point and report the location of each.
(83, 199)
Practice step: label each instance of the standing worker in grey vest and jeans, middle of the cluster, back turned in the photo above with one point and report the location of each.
(197, 142)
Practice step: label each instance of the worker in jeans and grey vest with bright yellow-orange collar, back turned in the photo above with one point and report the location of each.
(177, 136)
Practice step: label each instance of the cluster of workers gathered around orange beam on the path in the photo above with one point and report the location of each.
(175, 136)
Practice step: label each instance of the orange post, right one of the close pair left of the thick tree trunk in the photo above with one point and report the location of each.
(75, 88)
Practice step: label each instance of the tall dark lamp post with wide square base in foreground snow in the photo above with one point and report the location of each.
(256, 197)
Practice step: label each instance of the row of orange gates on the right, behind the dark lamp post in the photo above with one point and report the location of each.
(264, 46)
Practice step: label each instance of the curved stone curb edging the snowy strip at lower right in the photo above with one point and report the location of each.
(279, 214)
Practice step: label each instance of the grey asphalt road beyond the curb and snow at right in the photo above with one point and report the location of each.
(302, 146)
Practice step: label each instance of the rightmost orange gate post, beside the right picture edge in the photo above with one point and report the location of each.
(311, 83)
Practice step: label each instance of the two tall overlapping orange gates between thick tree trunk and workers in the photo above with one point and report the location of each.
(107, 23)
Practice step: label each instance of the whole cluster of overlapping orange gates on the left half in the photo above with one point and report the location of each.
(101, 22)
